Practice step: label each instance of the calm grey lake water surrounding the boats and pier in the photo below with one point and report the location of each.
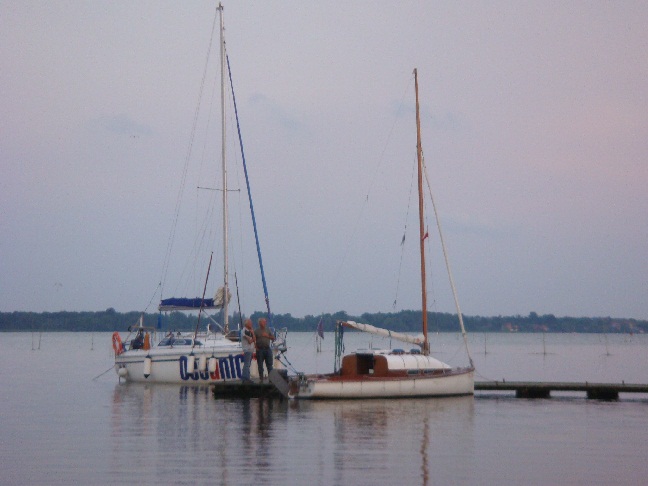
(59, 426)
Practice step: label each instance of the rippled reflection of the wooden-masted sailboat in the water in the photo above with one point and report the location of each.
(412, 439)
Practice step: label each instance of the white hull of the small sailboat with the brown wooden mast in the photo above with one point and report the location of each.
(451, 384)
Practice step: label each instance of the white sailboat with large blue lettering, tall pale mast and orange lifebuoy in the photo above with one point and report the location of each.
(203, 356)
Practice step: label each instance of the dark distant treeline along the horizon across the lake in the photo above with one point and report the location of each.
(408, 321)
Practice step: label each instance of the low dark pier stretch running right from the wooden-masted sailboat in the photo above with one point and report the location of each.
(530, 389)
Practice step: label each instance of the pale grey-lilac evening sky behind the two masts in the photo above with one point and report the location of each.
(535, 132)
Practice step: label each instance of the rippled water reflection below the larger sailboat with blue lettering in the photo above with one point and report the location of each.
(168, 432)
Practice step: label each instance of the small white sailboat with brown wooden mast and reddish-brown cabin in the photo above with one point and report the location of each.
(392, 373)
